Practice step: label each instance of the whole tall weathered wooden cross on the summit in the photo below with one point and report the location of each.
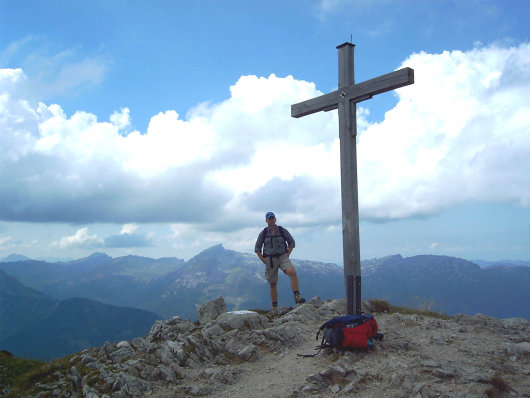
(345, 99)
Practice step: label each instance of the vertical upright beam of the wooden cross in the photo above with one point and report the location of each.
(349, 186)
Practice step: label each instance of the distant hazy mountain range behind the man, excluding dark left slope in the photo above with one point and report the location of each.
(172, 286)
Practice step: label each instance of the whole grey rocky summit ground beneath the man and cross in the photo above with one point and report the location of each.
(245, 353)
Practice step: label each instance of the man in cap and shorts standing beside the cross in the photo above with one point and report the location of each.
(277, 244)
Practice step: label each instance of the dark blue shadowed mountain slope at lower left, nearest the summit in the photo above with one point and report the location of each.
(35, 325)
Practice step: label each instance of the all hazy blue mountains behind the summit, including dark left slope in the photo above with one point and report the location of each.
(40, 299)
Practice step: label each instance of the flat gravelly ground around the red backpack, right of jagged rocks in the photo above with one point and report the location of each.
(420, 356)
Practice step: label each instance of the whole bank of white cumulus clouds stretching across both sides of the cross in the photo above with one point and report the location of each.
(460, 133)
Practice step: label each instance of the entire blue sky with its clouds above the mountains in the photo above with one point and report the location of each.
(161, 128)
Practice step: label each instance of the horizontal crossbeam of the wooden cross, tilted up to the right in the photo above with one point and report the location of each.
(354, 93)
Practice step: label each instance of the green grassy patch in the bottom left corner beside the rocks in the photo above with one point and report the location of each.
(21, 377)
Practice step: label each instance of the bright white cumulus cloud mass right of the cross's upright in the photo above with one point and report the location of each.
(460, 133)
